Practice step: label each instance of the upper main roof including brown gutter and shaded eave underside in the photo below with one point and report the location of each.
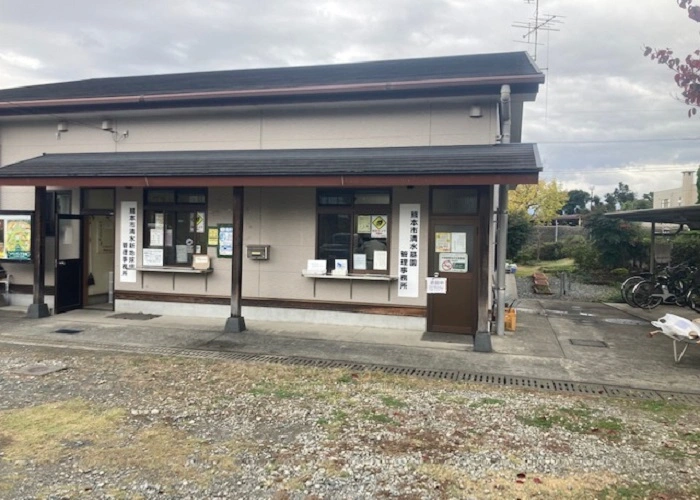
(433, 77)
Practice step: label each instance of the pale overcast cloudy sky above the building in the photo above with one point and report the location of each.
(606, 114)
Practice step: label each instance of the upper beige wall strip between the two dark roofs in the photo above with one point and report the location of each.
(375, 125)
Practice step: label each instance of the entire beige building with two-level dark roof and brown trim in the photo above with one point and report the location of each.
(323, 194)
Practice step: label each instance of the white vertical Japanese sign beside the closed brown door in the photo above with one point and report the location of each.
(409, 244)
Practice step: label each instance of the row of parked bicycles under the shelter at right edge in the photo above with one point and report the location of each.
(676, 285)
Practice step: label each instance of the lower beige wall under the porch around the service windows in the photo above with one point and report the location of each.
(285, 219)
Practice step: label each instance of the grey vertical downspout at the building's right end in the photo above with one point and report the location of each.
(502, 220)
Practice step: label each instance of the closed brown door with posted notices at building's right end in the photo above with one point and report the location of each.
(453, 255)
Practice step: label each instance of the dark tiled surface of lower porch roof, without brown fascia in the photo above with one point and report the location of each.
(426, 160)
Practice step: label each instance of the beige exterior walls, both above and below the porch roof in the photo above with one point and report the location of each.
(284, 218)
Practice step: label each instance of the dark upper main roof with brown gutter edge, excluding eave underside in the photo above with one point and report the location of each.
(480, 66)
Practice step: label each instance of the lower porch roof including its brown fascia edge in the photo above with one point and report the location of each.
(411, 166)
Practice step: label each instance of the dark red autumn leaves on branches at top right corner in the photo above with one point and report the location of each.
(687, 70)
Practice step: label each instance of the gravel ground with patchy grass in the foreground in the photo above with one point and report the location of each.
(127, 426)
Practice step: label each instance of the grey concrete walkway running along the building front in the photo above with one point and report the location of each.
(540, 348)
